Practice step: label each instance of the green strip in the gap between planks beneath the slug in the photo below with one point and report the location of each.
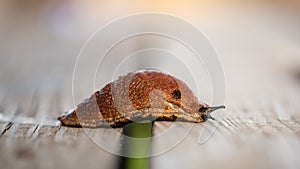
(137, 147)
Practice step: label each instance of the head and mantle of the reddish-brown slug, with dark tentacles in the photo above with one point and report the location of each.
(168, 95)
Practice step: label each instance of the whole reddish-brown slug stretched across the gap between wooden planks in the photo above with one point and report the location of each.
(139, 96)
